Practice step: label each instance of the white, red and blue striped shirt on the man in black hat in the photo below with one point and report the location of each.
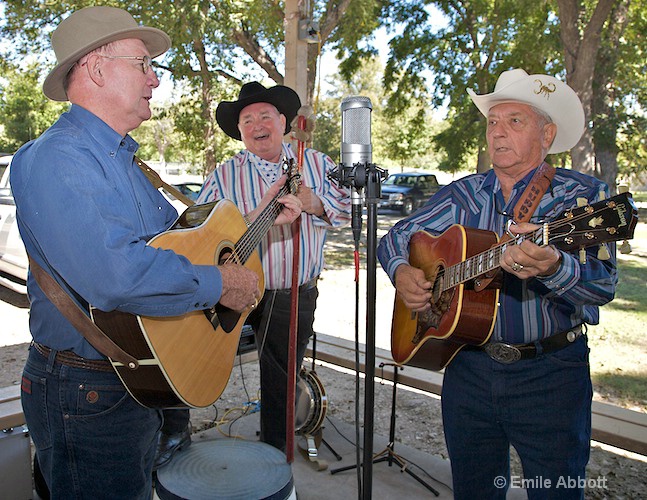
(242, 181)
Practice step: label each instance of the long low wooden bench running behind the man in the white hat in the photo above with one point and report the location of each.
(620, 427)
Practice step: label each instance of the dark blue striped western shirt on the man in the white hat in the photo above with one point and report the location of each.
(528, 309)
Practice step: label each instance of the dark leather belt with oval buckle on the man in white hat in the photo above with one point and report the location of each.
(511, 353)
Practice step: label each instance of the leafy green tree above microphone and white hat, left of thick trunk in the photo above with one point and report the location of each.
(481, 39)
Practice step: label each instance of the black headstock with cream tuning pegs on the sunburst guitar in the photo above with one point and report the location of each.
(608, 220)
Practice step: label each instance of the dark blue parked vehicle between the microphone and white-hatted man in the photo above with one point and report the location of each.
(407, 191)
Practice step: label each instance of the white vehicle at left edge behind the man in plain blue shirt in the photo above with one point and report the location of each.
(13, 258)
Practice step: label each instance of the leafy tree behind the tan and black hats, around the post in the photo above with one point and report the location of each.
(214, 43)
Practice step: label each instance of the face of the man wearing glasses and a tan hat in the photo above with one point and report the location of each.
(128, 89)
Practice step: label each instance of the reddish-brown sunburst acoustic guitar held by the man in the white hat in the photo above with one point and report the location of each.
(460, 260)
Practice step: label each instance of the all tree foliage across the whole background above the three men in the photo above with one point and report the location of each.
(597, 46)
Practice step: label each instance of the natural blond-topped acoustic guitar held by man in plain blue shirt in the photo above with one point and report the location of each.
(187, 360)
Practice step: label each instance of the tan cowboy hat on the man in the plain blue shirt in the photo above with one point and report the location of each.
(88, 29)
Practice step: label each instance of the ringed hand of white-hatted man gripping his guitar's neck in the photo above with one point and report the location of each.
(527, 259)
